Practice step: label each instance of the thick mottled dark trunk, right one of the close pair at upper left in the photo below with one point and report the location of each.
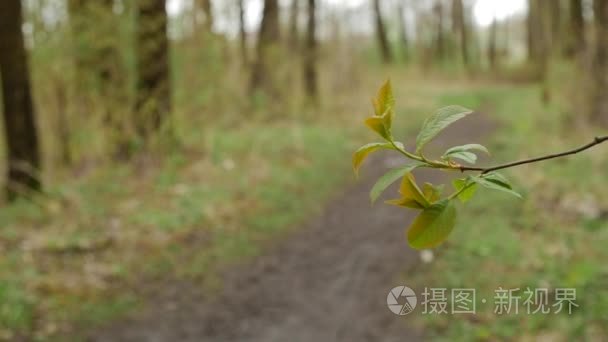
(153, 97)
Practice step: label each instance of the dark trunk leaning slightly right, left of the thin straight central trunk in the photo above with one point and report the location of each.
(267, 39)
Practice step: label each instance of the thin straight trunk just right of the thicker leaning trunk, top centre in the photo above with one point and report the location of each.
(310, 60)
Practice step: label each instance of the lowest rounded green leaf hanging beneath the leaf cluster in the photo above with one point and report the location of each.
(432, 226)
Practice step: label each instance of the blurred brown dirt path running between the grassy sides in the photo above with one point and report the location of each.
(326, 282)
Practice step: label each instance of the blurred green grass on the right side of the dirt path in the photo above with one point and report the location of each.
(555, 238)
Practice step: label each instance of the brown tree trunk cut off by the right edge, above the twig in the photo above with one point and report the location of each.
(600, 64)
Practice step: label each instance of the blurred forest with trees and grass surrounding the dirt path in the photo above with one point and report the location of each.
(148, 139)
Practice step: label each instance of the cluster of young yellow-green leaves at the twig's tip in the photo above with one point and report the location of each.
(437, 212)
